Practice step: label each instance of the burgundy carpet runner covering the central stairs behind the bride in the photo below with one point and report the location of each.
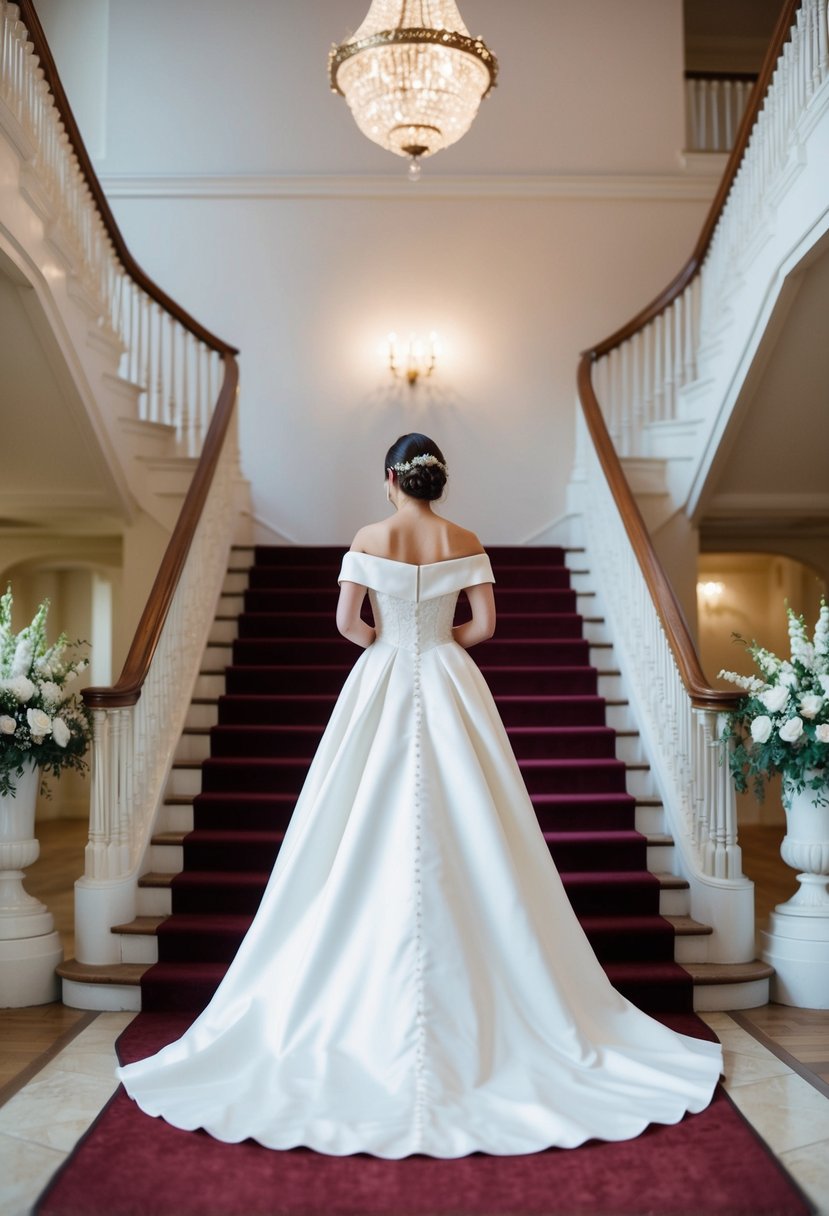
(289, 667)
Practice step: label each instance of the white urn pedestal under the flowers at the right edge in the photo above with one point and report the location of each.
(797, 943)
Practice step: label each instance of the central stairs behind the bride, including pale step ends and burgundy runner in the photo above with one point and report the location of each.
(270, 679)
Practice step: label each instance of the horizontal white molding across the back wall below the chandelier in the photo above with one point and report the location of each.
(680, 187)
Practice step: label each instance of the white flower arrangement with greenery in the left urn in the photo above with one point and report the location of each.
(41, 720)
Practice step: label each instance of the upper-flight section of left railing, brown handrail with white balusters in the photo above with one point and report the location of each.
(176, 363)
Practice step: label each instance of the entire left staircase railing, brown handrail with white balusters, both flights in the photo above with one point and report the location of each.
(188, 379)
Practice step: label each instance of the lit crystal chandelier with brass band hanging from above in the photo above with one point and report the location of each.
(413, 76)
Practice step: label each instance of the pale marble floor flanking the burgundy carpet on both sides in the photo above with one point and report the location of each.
(42, 1122)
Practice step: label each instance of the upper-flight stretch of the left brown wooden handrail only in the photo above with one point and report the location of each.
(36, 31)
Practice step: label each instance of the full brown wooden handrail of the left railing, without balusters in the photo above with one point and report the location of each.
(128, 689)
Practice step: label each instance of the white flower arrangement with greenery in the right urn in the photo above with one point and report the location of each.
(782, 723)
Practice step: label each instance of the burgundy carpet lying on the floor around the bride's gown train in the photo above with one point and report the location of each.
(131, 1166)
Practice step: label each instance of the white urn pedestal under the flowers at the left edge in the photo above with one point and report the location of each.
(30, 947)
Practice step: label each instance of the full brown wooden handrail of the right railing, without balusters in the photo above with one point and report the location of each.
(668, 606)
